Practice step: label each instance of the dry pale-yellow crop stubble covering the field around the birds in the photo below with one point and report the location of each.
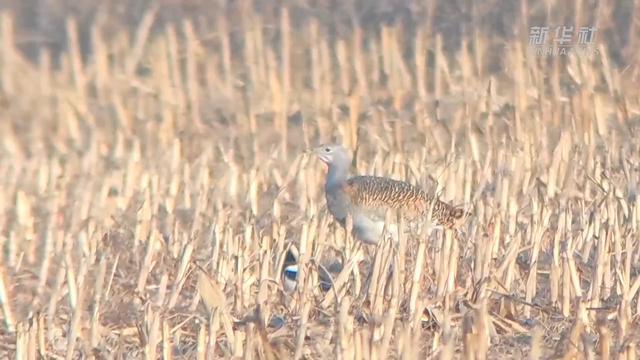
(164, 165)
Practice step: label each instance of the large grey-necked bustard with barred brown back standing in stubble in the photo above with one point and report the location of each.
(367, 198)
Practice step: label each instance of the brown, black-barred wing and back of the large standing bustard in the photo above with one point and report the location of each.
(374, 195)
